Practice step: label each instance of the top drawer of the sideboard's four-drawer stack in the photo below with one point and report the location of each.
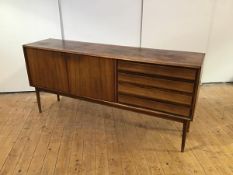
(159, 70)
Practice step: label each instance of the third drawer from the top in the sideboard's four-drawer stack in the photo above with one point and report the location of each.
(154, 93)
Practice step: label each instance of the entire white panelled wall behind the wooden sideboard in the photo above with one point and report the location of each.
(191, 25)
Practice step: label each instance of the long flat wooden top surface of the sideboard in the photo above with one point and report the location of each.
(145, 55)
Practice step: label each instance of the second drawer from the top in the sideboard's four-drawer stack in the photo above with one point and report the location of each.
(156, 82)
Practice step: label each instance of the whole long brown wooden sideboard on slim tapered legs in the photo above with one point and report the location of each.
(160, 83)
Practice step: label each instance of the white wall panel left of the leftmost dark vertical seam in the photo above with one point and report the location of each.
(23, 21)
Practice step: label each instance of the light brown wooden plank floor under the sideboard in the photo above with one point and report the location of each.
(78, 137)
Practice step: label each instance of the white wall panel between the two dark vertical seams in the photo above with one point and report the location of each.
(102, 21)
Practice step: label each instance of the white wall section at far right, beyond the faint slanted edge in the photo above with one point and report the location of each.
(218, 65)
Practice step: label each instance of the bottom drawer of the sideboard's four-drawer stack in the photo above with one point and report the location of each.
(154, 105)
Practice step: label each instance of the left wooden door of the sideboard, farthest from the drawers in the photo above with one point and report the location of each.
(47, 69)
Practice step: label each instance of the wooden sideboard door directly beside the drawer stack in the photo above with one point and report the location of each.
(91, 77)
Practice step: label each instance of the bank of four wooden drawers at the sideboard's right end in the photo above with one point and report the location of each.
(161, 88)
